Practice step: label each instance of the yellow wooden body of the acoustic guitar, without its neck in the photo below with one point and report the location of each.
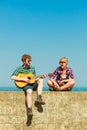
(30, 76)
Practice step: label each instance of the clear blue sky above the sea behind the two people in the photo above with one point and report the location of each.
(47, 30)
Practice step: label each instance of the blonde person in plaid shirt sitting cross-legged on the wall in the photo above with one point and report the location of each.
(62, 78)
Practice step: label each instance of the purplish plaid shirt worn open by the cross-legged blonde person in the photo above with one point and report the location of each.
(58, 72)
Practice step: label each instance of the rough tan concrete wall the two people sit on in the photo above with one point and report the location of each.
(62, 111)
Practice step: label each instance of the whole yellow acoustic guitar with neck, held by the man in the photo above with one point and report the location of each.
(32, 78)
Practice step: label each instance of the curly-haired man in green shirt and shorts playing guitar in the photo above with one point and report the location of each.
(25, 69)
